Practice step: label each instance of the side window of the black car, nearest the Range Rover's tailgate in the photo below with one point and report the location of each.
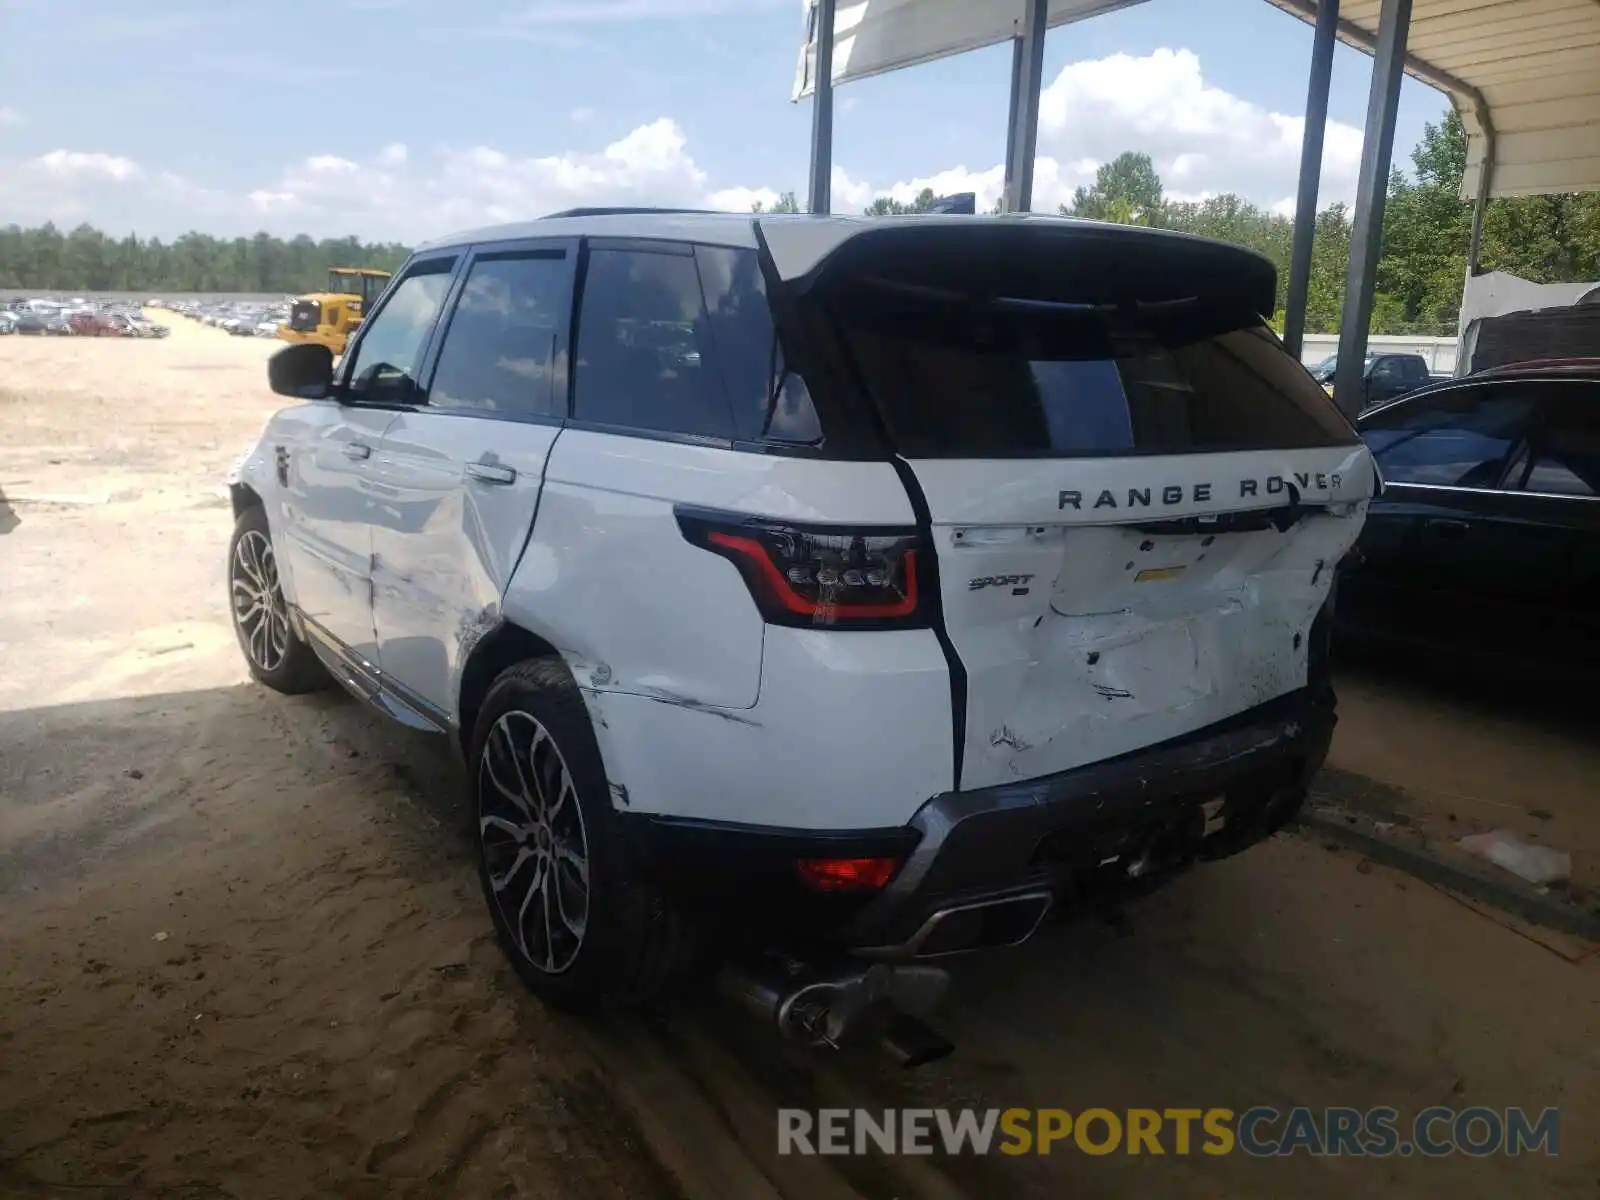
(1455, 439)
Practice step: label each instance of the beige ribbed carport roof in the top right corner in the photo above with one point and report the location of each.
(1534, 63)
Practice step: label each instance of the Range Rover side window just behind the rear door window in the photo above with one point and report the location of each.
(644, 346)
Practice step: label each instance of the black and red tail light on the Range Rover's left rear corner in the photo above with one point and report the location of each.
(823, 577)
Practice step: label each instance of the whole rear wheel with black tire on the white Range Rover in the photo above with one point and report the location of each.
(574, 924)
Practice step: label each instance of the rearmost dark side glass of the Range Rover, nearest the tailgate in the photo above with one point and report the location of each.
(769, 401)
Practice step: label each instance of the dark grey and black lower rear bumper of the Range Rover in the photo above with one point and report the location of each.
(985, 868)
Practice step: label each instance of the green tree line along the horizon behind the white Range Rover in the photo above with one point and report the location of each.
(1545, 239)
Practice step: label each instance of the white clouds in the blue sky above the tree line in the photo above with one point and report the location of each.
(1204, 142)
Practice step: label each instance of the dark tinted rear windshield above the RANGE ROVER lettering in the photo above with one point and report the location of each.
(1030, 378)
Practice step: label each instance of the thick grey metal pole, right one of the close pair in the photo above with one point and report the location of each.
(1367, 231)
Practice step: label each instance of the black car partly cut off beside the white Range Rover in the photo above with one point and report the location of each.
(1486, 542)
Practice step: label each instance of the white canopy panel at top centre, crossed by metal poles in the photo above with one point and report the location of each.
(878, 36)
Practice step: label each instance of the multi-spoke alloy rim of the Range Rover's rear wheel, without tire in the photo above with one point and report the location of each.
(535, 844)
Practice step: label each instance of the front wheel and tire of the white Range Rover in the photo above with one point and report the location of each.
(262, 615)
